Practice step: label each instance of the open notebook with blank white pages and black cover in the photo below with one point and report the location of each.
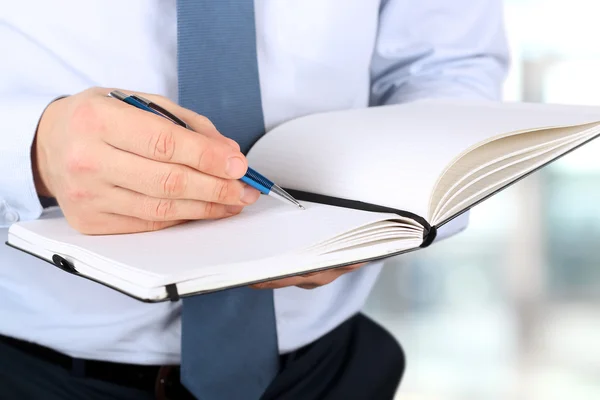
(376, 182)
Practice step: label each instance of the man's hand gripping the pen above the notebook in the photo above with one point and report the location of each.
(114, 168)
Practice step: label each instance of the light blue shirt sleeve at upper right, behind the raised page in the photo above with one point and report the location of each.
(439, 49)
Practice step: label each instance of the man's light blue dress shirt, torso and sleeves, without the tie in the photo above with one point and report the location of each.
(314, 55)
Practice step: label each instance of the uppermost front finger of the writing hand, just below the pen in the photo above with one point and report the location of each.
(150, 136)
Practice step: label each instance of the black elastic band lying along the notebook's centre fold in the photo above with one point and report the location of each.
(429, 232)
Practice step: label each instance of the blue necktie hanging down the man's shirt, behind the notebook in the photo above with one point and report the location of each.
(229, 338)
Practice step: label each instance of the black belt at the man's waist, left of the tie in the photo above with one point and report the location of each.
(161, 380)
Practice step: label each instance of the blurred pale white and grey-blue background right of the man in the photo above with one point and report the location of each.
(510, 309)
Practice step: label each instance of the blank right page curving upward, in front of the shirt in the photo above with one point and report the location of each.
(393, 155)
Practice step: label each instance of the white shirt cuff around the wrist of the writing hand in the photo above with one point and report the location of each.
(20, 117)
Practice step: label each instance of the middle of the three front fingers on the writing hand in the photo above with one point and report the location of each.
(169, 181)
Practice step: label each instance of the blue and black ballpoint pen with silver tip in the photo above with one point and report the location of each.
(251, 178)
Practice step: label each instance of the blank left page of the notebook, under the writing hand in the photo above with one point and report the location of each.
(266, 229)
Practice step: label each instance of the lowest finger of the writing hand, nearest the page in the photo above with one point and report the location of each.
(125, 202)
